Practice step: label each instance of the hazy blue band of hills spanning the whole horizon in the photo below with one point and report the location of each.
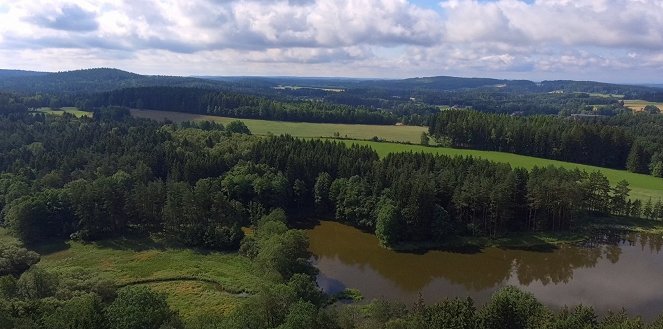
(107, 79)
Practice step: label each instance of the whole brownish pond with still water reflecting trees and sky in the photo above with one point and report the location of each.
(609, 273)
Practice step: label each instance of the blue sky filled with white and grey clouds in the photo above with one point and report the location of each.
(602, 40)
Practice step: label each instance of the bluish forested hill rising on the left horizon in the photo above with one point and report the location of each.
(92, 81)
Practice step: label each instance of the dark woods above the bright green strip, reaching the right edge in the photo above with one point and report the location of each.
(630, 142)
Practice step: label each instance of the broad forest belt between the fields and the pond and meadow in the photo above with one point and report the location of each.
(199, 183)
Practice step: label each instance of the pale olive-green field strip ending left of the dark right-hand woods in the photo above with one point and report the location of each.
(394, 133)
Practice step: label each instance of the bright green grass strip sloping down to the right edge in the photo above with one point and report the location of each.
(643, 186)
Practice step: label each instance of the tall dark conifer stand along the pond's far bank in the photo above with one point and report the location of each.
(421, 197)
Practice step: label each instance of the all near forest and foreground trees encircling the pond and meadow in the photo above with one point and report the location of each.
(198, 184)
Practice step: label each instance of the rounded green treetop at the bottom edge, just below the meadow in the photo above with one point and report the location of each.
(140, 308)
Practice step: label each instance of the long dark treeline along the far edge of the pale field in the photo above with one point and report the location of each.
(204, 101)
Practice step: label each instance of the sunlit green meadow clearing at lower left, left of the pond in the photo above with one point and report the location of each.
(166, 269)
